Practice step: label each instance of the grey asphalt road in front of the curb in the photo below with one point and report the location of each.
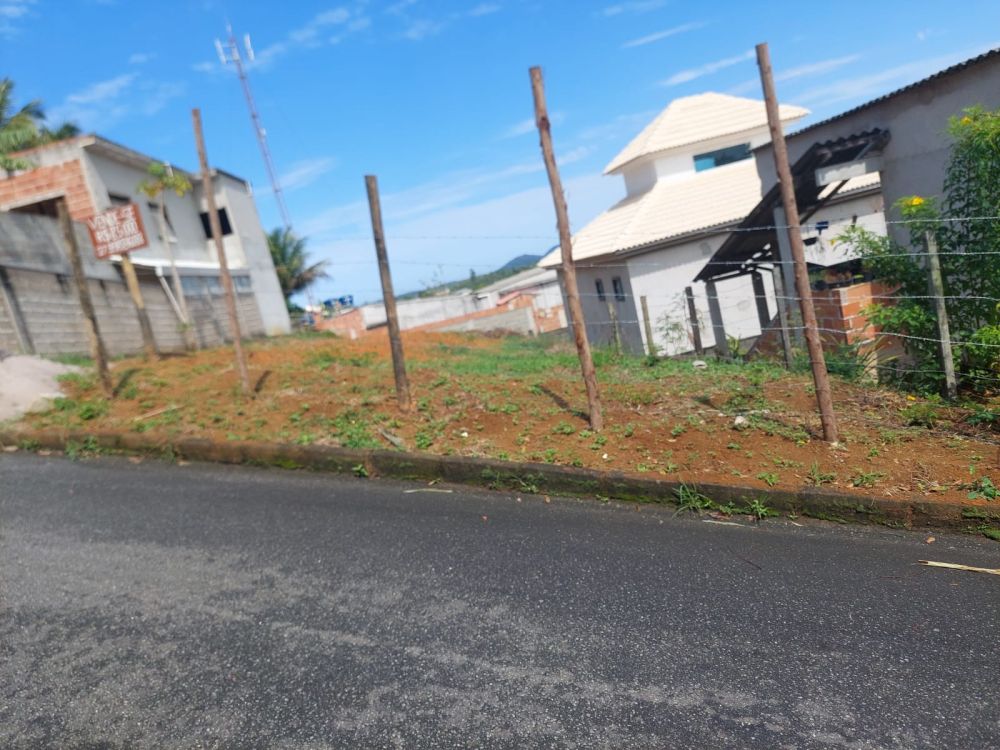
(156, 606)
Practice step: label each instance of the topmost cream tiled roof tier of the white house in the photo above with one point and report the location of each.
(691, 119)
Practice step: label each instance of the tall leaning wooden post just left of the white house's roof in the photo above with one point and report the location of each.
(566, 244)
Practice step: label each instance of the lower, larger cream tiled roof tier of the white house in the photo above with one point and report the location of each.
(670, 208)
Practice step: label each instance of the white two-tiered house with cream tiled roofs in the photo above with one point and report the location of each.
(689, 179)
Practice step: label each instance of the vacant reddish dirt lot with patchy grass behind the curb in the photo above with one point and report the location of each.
(522, 399)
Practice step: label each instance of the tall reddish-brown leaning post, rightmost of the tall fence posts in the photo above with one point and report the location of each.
(813, 343)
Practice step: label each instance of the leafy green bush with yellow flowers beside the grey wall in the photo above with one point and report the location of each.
(968, 235)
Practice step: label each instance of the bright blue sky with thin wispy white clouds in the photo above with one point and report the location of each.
(434, 98)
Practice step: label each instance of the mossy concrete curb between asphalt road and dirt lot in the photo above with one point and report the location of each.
(528, 478)
